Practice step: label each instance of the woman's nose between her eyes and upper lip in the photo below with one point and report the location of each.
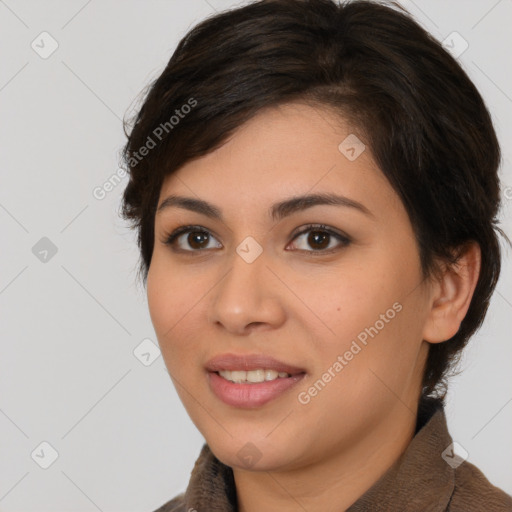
(247, 297)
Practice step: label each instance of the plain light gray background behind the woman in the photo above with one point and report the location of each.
(70, 324)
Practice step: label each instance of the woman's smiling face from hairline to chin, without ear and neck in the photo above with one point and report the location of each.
(333, 291)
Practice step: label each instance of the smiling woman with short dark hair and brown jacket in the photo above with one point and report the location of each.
(315, 191)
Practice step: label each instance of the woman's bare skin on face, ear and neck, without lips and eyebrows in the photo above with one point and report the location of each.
(301, 308)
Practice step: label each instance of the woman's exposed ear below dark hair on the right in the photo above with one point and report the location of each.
(451, 296)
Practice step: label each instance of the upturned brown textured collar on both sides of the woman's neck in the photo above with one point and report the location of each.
(419, 480)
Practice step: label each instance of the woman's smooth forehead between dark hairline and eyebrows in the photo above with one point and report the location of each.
(283, 151)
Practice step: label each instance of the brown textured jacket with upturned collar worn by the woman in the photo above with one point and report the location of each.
(421, 480)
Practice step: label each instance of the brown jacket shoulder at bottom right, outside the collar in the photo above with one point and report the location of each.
(472, 491)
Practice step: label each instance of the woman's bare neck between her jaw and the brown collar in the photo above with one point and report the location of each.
(335, 482)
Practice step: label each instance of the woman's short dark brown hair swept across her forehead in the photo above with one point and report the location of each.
(423, 119)
